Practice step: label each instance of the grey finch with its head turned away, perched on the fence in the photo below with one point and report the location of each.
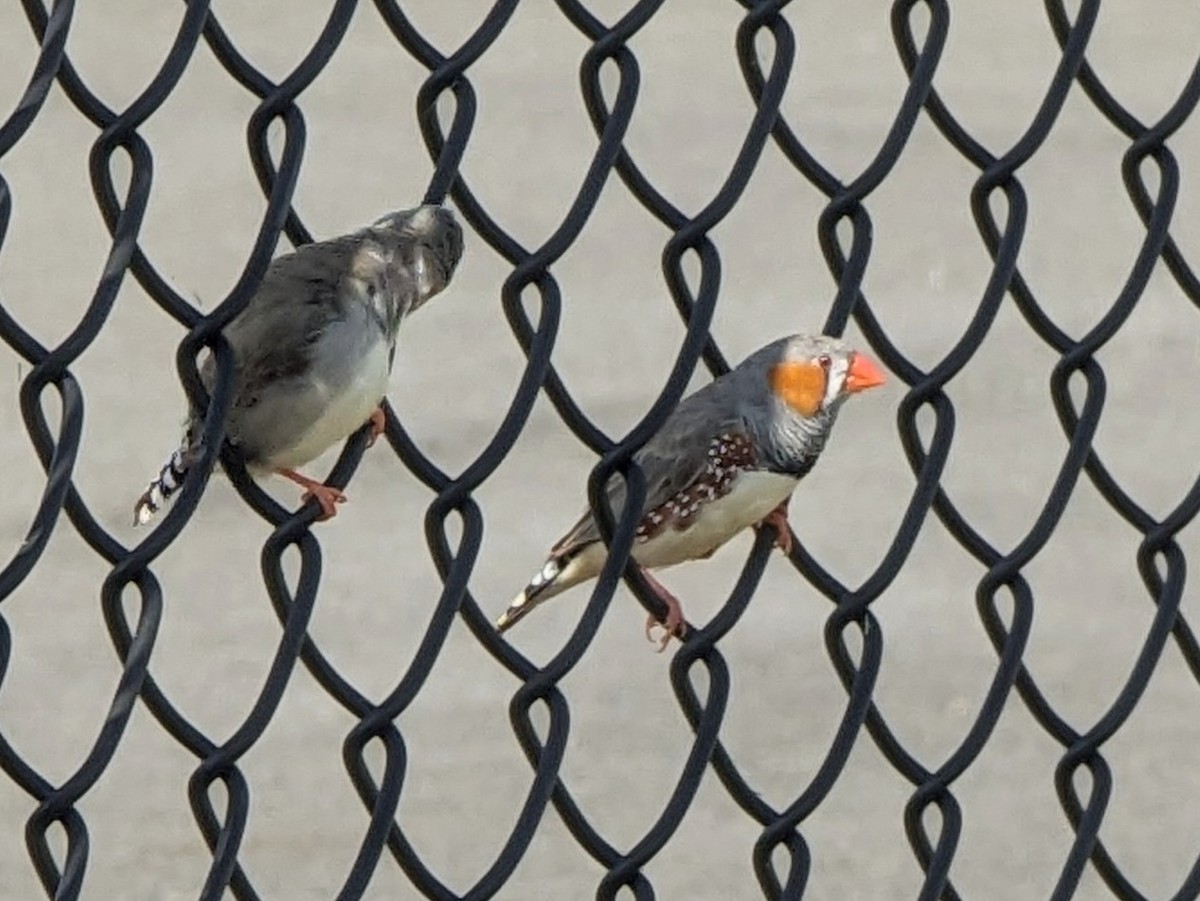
(314, 349)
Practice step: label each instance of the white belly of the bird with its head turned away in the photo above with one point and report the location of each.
(346, 409)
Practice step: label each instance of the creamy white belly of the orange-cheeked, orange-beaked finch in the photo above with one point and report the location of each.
(753, 497)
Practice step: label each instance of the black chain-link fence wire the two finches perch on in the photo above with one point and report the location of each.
(767, 50)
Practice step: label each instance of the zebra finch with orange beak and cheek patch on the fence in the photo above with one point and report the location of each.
(728, 458)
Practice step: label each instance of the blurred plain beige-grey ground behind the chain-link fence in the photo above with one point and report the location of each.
(457, 376)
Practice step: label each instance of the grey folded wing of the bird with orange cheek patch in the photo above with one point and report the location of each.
(671, 461)
